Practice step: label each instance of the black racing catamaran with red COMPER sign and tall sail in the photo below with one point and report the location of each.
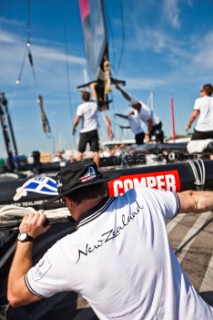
(17, 194)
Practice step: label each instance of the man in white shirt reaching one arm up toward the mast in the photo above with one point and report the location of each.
(152, 121)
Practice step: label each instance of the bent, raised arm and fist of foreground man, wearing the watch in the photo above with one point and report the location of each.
(18, 293)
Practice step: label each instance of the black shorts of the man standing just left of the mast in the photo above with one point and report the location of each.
(90, 137)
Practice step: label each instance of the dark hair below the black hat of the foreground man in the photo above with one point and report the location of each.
(90, 192)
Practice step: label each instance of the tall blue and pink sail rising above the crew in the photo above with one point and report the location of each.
(94, 32)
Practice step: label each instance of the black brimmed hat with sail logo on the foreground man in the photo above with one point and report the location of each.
(80, 174)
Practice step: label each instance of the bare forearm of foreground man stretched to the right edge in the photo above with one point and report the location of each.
(195, 201)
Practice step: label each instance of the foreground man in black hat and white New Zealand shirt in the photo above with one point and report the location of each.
(118, 258)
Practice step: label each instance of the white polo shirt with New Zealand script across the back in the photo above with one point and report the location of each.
(119, 259)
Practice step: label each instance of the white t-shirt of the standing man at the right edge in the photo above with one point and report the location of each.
(205, 119)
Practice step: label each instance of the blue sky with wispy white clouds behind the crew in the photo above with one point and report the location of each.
(164, 47)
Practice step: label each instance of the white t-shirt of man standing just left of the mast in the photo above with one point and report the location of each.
(89, 113)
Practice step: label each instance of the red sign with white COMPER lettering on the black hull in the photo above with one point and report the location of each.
(164, 180)
